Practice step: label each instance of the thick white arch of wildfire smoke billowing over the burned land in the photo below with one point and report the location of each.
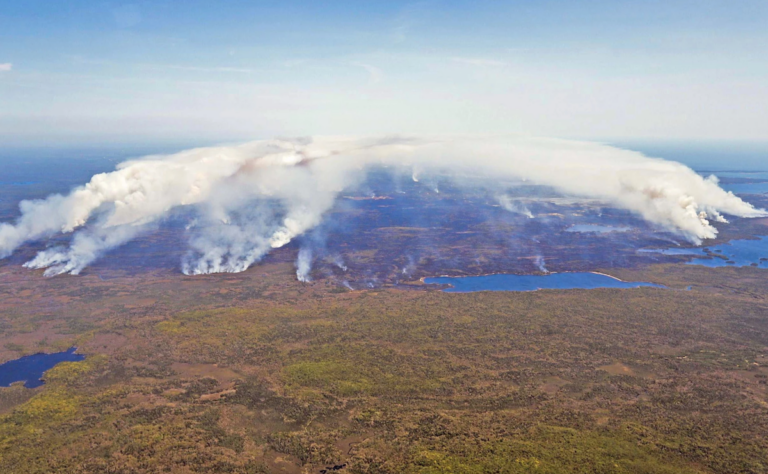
(261, 195)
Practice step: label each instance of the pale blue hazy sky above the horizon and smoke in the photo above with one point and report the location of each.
(90, 71)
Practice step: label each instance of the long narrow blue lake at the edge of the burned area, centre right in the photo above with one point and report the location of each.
(553, 281)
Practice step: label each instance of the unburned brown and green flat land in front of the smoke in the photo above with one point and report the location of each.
(255, 373)
